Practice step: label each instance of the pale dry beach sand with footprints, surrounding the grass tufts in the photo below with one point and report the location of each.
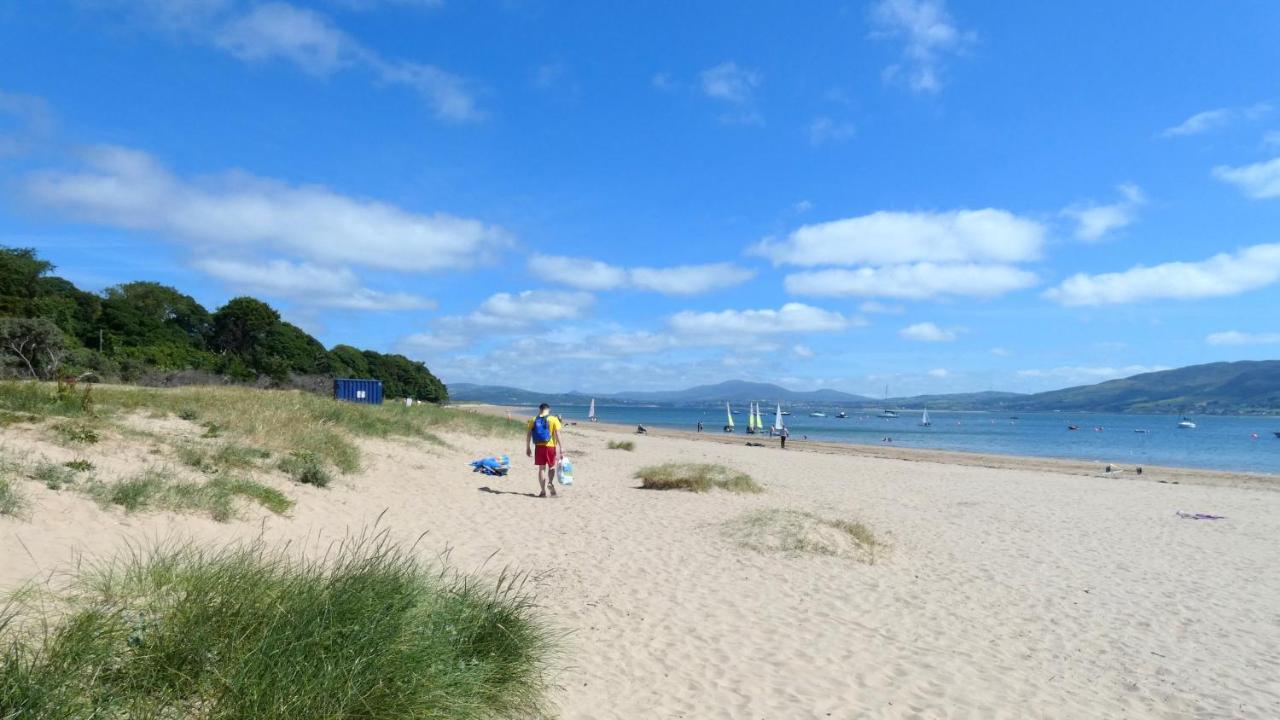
(1005, 593)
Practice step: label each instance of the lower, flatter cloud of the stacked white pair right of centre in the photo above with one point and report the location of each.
(920, 281)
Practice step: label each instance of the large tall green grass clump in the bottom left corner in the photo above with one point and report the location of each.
(249, 632)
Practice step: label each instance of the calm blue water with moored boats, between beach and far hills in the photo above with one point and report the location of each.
(1219, 443)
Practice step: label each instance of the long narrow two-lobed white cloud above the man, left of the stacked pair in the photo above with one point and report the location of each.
(682, 280)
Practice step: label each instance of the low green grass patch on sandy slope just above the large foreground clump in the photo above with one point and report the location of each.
(216, 498)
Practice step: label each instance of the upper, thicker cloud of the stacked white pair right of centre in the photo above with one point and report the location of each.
(885, 238)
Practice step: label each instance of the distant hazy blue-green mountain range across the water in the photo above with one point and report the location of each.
(1245, 388)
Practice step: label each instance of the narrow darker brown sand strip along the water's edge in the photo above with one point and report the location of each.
(1057, 466)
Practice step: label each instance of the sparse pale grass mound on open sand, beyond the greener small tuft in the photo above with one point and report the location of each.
(806, 534)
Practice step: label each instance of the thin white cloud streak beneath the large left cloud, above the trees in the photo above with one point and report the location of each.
(309, 285)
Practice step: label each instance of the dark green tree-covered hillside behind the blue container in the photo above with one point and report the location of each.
(140, 331)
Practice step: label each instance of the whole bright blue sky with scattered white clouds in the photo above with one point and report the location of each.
(935, 197)
